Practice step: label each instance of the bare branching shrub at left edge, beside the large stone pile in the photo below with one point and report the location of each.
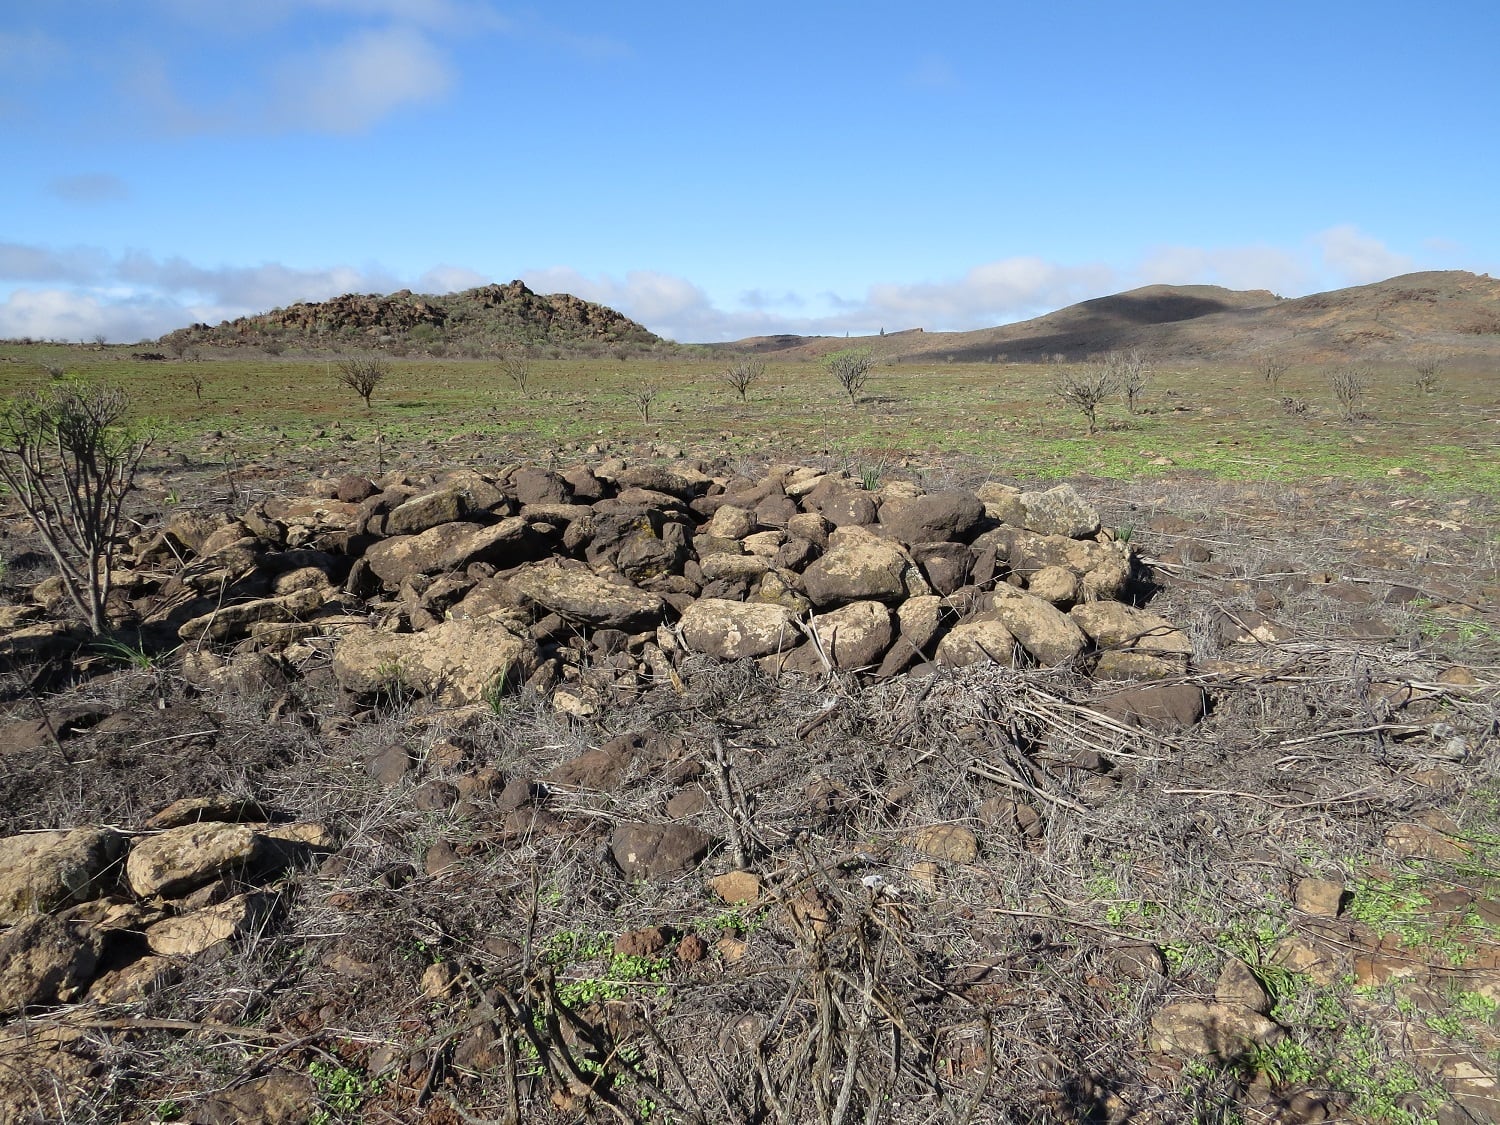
(71, 463)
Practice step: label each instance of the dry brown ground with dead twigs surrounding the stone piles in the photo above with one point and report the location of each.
(973, 896)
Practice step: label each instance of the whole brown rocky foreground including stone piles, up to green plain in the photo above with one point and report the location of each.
(662, 791)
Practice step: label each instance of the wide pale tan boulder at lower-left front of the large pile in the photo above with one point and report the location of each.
(458, 662)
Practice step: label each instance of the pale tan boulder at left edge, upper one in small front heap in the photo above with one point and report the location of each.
(46, 871)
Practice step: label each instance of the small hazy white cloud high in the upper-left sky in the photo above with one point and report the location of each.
(350, 88)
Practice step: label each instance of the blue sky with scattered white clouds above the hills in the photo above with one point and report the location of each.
(719, 170)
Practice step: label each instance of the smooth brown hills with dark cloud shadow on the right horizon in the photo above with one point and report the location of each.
(1453, 313)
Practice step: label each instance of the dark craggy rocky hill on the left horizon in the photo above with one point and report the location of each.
(478, 322)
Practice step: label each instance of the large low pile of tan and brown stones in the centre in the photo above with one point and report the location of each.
(589, 583)
